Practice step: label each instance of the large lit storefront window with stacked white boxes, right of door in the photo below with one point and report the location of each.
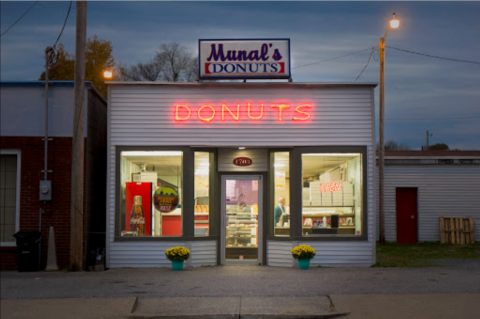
(332, 194)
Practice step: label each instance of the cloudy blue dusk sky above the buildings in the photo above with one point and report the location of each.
(420, 93)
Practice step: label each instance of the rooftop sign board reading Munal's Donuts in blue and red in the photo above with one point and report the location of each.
(244, 59)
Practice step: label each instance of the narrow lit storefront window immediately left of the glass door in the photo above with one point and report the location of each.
(202, 200)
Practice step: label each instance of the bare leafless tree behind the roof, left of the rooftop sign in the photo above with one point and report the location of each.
(171, 63)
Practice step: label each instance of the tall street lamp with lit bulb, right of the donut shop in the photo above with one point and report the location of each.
(394, 23)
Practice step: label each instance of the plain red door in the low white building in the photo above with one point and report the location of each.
(407, 217)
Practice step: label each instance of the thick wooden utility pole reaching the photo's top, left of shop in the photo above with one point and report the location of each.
(78, 162)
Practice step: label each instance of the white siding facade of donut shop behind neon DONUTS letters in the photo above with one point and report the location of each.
(143, 114)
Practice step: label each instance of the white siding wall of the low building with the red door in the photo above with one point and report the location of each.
(443, 190)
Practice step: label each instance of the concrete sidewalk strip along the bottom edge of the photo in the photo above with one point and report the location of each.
(393, 306)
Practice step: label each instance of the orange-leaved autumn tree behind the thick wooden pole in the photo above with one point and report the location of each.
(98, 58)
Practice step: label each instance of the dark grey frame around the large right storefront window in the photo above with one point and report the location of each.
(296, 185)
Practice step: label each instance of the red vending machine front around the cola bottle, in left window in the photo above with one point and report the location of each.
(145, 191)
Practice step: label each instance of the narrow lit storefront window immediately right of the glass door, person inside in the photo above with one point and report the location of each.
(281, 213)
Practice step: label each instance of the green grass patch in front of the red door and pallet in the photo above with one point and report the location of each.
(418, 255)
